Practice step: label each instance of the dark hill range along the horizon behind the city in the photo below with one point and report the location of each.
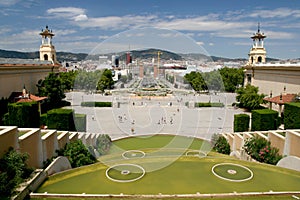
(141, 54)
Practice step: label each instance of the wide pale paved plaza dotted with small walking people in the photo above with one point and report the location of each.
(135, 115)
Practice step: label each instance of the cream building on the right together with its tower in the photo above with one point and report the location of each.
(273, 78)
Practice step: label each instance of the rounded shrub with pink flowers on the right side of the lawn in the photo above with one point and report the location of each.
(261, 150)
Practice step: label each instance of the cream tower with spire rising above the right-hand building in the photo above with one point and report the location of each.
(257, 53)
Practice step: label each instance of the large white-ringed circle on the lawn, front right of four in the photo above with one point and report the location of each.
(232, 172)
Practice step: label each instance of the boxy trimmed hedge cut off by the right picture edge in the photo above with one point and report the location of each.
(291, 115)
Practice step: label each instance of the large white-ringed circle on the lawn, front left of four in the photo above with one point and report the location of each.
(124, 173)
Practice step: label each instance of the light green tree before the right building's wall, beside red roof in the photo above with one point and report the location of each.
(249, 98)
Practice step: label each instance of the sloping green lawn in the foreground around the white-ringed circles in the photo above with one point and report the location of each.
(169, 173)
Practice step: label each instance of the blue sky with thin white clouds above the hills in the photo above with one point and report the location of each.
(218, 27)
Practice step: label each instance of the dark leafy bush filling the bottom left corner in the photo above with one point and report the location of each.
(13, 170)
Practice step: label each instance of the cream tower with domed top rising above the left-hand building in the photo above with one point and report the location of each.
(47, 50)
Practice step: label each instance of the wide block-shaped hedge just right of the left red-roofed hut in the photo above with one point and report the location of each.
(61, 119)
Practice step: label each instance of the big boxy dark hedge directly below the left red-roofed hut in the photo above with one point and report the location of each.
(23, 115)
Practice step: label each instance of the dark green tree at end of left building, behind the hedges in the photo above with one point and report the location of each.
(52, 87)
